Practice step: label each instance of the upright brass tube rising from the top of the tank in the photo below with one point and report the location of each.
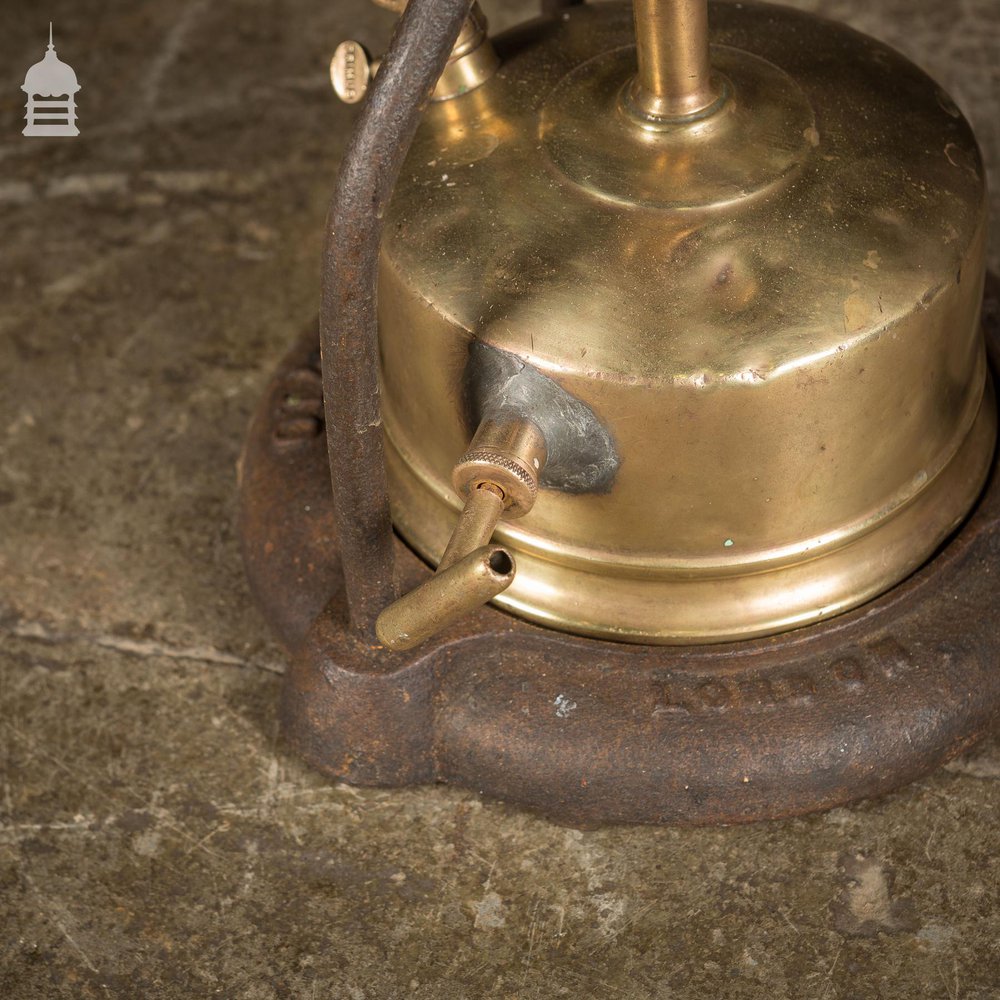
(674, 78)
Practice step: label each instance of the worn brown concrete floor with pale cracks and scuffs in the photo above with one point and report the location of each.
(156, 841)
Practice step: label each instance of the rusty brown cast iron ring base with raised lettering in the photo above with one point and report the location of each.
(591, 732)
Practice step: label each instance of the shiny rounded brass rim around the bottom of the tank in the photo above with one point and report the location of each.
(687, 611)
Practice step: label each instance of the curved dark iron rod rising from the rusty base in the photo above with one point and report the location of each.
(419, 50)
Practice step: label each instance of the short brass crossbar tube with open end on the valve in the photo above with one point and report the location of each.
(447, 596)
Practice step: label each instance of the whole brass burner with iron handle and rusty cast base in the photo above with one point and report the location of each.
(659, 328)
